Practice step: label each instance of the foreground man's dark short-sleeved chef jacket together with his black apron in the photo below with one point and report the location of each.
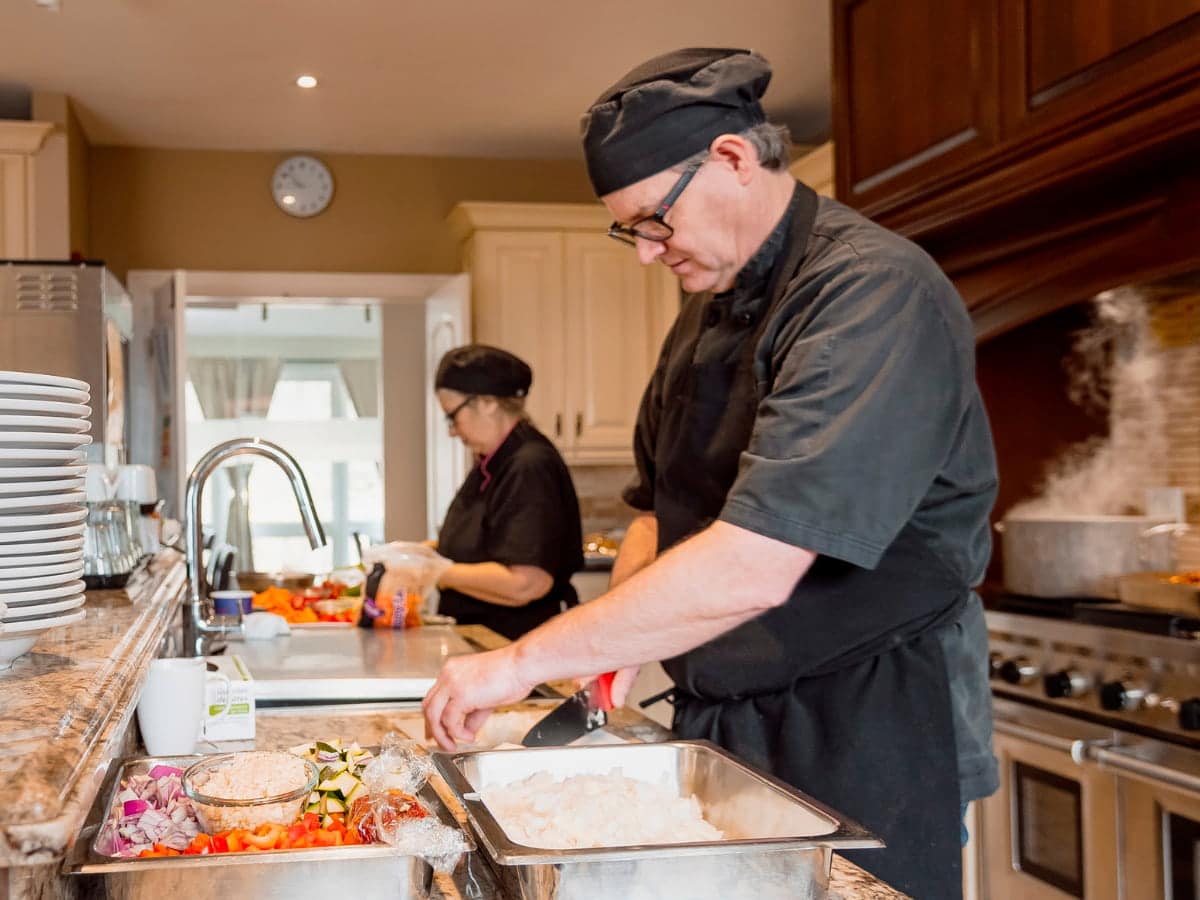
(829, 401)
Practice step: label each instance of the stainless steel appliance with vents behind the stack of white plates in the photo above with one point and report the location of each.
(73, 320)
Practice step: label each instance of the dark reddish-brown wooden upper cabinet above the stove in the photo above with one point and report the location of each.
(946, 111)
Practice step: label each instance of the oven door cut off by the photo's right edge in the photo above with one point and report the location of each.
(1159, 790)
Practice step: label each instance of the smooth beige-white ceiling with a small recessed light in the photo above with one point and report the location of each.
(500, 79)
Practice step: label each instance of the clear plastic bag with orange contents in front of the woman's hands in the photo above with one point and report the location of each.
(401, 575)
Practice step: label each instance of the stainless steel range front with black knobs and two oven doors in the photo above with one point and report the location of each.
(1097, 716)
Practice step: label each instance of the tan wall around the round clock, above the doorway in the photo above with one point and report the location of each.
(201, 209)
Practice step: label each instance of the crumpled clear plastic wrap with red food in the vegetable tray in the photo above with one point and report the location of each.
(392, 813)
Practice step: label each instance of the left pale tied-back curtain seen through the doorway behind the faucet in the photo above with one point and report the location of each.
(236, 389)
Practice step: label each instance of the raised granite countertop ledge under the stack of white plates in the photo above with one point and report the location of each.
(65, 710)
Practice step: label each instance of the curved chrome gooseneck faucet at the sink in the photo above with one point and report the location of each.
(199, 619)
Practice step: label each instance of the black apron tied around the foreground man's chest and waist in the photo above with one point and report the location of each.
(843, 692)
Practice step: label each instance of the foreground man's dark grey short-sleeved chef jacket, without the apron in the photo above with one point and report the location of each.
(867, 423)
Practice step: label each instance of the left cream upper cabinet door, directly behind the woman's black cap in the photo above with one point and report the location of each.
(518, 280)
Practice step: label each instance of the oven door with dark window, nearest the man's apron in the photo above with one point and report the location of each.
(1052, 830)
